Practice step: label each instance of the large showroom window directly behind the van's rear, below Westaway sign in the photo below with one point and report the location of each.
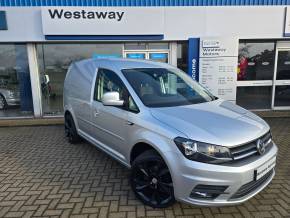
(54, 60)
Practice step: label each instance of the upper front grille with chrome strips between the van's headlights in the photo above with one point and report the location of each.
(249, 149)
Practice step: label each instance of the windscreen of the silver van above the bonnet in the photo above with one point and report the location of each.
(165, 87)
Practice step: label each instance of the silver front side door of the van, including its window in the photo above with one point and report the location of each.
(109, 123)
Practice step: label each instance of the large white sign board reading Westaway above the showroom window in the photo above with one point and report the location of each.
(102, 21)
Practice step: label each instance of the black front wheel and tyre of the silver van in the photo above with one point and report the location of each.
(151, 180)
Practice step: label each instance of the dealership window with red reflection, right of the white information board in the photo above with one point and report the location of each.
(256, 63)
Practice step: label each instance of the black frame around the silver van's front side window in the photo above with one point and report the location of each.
(127, 93)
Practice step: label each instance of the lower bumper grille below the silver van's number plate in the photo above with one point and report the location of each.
(252, 186)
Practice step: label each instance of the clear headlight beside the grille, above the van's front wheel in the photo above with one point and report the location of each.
(203, 152)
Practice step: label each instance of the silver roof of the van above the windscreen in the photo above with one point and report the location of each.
(123, 63)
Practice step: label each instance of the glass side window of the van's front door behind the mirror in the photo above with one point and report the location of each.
(108, 81)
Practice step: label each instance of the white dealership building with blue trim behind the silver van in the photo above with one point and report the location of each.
(238, 49)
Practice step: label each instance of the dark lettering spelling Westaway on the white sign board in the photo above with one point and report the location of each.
(83, 14)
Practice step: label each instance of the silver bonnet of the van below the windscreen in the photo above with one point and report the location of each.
(218, 122)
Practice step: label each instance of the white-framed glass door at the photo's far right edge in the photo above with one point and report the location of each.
(281, 91)
